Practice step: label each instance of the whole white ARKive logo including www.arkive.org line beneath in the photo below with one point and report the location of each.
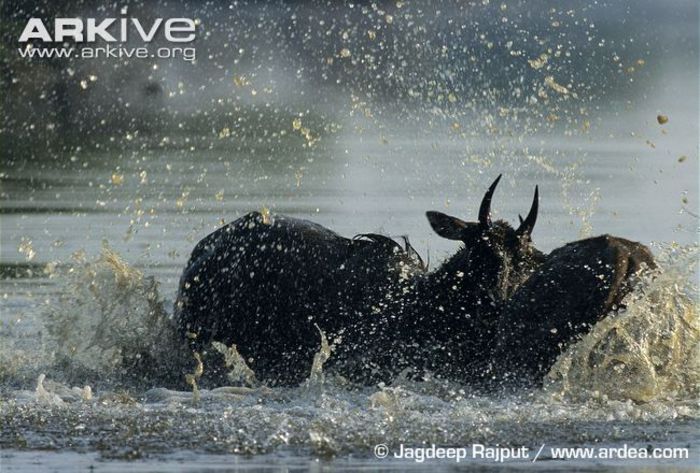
(42, 40)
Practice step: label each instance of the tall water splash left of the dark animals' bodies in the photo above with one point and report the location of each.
(109, 322)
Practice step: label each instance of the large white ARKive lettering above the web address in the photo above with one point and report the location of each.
(175, 30)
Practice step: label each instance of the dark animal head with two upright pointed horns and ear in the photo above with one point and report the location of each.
(495, 254)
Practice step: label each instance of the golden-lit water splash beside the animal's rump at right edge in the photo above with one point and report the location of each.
(649, 351)
